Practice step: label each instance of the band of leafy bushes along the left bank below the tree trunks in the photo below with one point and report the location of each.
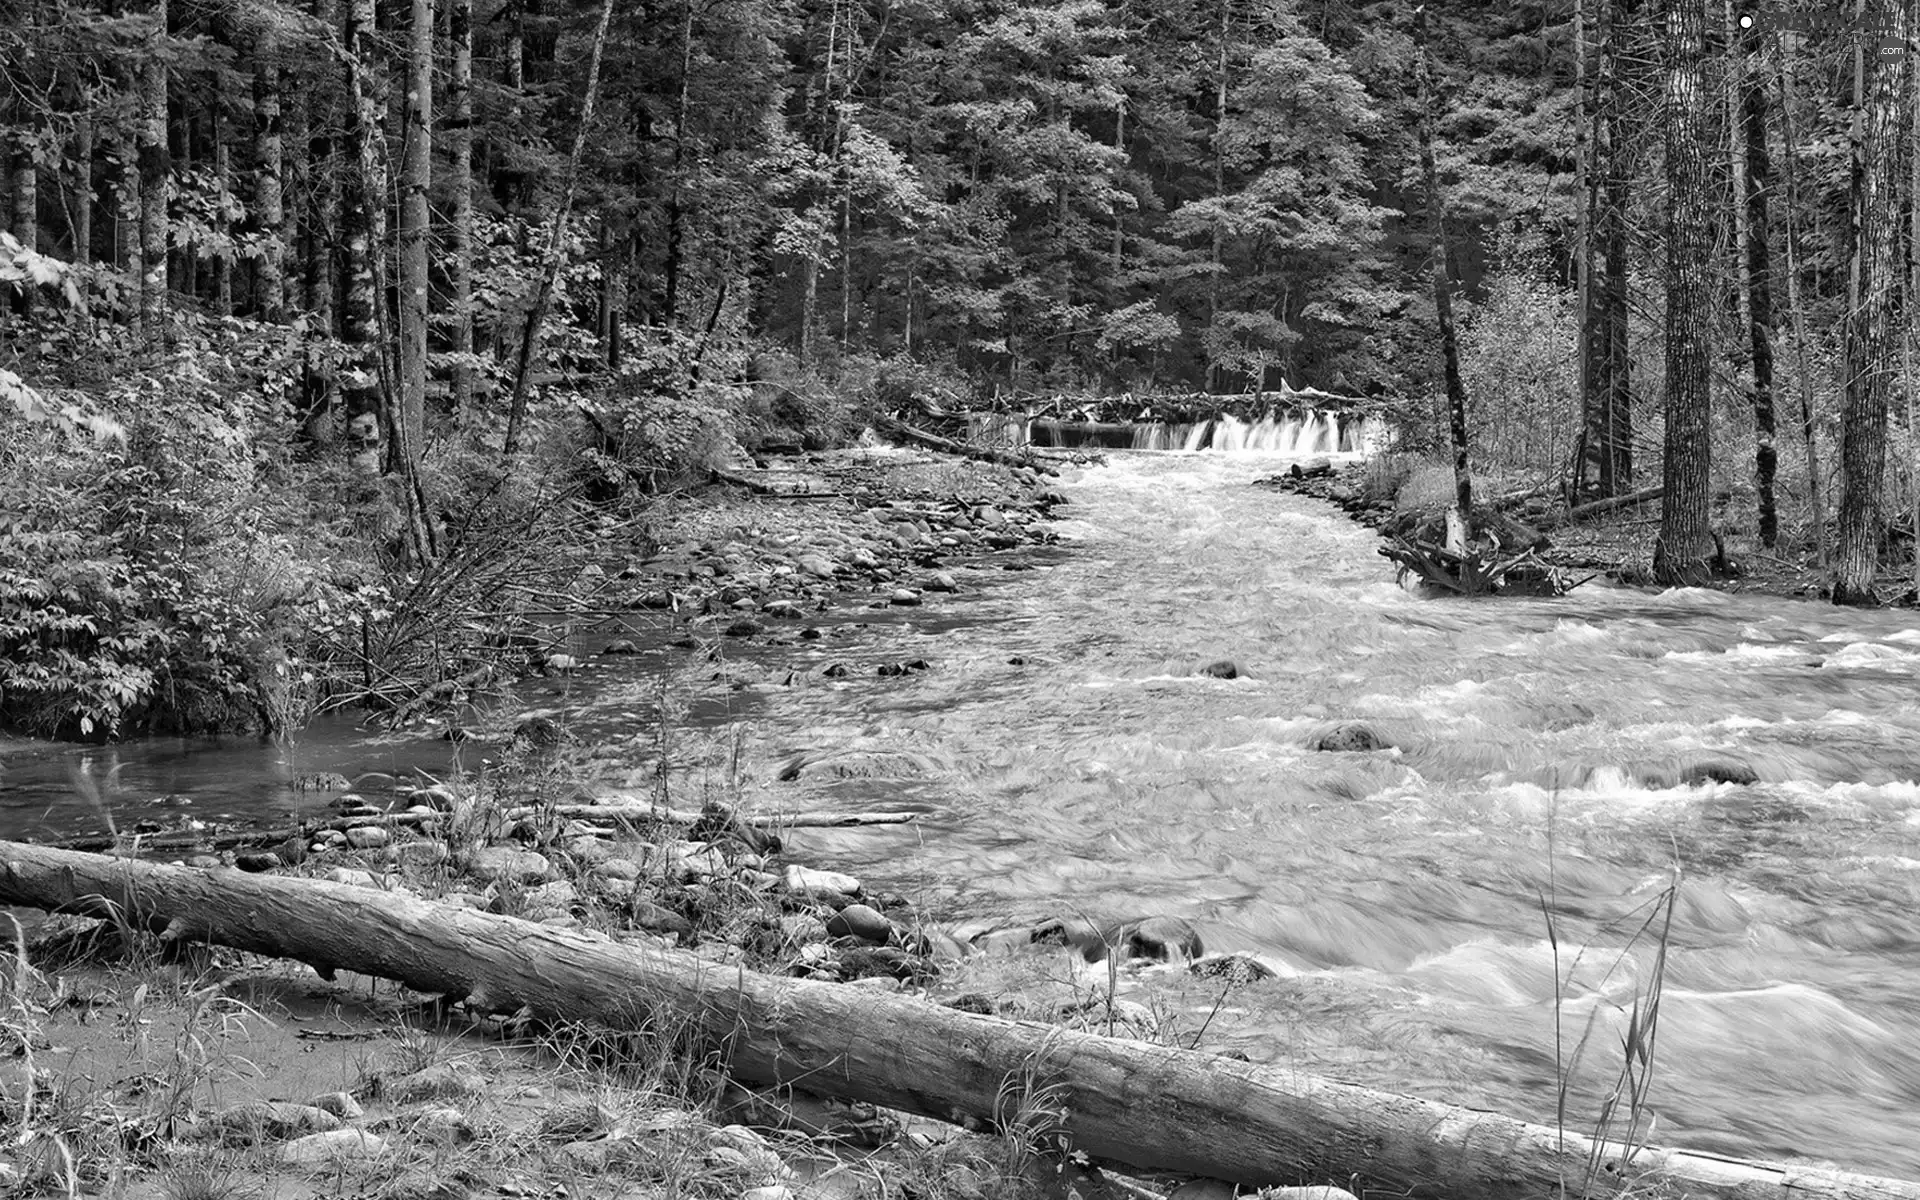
(180, 552)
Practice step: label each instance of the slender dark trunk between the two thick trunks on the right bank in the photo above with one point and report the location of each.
(1760, 180)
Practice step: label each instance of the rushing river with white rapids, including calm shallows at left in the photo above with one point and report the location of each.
(1543, 761)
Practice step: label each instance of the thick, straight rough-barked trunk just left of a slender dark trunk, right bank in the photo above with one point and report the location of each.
(1683, 554)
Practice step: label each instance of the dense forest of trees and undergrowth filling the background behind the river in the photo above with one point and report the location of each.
(350, 281)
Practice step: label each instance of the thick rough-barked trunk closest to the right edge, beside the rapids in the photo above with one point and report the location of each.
(1875, 302)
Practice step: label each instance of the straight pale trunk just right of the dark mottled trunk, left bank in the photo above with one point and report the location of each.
(416, 228)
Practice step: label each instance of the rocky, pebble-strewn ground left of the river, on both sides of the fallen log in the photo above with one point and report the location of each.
(162, 1070)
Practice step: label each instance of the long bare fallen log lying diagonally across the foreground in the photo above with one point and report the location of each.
(1120, 1101)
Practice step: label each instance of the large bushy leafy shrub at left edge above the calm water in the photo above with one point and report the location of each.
(145, 585)
